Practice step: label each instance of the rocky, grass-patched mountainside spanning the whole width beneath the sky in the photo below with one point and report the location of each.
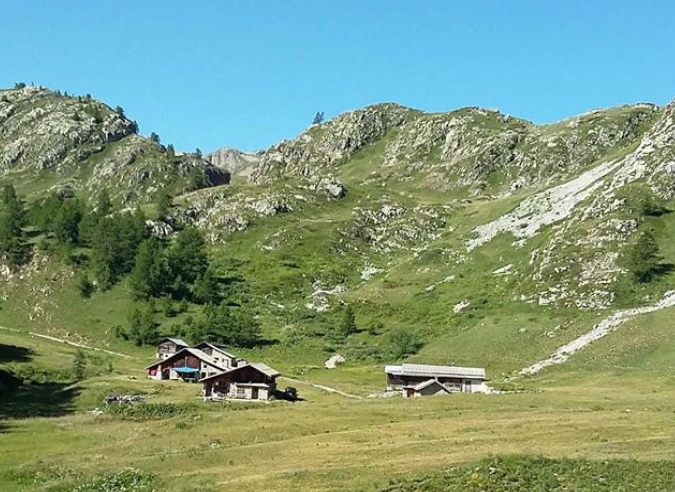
(496, 239)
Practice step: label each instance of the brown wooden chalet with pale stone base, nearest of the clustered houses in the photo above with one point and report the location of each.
(250, 381)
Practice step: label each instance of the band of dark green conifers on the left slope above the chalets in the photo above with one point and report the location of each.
(107, 246)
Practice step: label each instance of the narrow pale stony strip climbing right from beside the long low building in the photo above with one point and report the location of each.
(604, 328)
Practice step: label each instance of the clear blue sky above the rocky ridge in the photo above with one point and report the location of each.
(249, 73)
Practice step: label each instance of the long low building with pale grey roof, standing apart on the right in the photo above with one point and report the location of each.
(422, 380)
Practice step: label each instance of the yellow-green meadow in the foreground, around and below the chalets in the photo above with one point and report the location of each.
(330, 442)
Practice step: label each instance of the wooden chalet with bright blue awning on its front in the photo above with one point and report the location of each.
(188, 364)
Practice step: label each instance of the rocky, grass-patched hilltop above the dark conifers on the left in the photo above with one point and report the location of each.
(49, 141)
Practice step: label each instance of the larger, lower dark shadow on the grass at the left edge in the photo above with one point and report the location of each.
(25, 399)
